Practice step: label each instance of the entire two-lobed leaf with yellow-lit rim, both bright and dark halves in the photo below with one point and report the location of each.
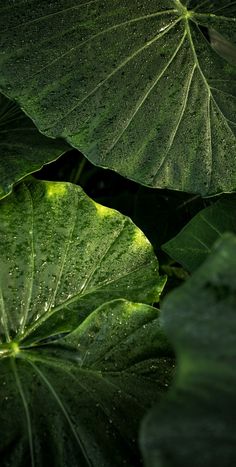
(79, 364)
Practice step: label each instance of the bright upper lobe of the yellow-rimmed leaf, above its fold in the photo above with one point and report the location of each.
(62, 255)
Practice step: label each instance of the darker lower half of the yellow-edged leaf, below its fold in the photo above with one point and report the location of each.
(78, 401)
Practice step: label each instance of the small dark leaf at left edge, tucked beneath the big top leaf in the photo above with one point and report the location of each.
(23, 149)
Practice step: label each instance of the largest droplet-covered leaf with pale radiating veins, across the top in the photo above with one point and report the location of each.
(136, 86)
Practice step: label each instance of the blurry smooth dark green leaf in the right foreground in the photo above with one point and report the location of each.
(195, 424)
